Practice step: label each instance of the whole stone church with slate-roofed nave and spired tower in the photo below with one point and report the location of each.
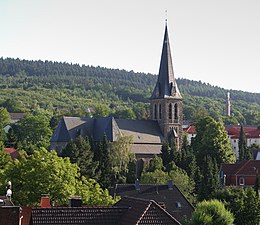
(165, 123)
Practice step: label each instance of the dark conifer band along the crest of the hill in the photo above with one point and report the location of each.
(55, 71)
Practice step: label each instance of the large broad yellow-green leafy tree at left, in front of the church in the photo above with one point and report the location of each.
(46, 172)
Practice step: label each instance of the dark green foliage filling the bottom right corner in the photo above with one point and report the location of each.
(243, 203)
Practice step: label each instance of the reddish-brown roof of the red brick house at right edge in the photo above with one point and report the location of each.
(245, 168)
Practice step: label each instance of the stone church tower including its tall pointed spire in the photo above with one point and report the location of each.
(166, 99)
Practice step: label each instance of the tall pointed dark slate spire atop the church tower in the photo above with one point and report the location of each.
(166, 86)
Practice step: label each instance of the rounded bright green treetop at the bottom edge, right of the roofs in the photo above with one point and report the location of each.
(212, 212)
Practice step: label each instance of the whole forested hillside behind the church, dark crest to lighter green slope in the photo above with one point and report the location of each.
(76, 87)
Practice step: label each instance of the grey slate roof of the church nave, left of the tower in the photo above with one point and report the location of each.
(146, 134)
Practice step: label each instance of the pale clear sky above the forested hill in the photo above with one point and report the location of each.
(215, 41)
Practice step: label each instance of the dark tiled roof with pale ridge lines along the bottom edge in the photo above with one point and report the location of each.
(128, 211)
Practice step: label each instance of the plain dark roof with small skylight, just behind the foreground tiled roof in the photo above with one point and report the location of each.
(168, 195)
